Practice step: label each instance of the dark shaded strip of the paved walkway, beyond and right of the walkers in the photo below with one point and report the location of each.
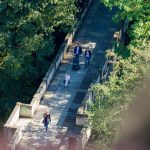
(97, 29)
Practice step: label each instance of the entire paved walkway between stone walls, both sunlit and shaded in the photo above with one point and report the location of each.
(96, 33)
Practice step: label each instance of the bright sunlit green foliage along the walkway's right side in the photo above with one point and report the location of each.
(131, 62)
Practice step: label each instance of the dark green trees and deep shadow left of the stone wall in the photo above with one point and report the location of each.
(31, 32)
